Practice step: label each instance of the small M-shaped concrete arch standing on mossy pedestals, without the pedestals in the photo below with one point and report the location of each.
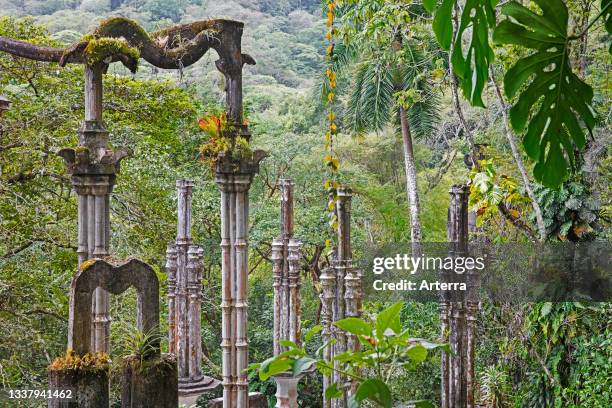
(116, 280)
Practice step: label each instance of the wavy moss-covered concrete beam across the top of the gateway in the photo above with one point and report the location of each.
(171, 48)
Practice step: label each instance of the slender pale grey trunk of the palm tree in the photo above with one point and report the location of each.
(411, 181)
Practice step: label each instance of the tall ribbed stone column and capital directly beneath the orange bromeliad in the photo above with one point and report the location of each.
(234, 176)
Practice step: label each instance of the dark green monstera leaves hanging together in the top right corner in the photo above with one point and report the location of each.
(556, 103)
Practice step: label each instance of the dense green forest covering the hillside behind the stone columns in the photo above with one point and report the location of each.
(388, 64)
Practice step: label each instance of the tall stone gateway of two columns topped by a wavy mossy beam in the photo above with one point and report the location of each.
(93, 166)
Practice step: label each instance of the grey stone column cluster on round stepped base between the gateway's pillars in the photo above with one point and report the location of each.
(184, 268)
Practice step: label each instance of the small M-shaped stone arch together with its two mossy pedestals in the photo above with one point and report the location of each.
(141, 373)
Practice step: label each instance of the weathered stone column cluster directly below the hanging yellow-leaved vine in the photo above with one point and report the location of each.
(341, 297)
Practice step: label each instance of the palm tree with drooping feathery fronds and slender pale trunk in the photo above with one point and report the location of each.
(373, 105)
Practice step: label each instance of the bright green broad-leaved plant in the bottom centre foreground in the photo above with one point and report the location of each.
(385, 348)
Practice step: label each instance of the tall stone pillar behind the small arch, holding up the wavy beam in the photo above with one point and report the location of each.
(93, 168)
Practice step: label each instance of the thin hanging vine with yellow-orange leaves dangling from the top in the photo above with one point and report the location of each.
(331, 160)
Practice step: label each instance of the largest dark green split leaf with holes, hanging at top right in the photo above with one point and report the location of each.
(554, 105)
